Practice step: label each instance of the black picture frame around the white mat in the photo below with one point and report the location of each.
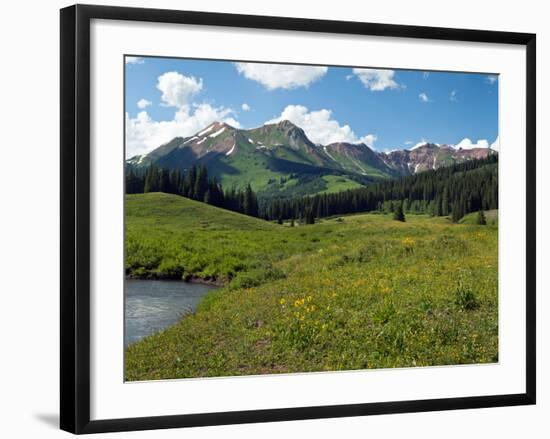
(75, 217)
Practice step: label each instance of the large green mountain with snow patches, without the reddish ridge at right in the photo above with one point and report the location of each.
(275, 159)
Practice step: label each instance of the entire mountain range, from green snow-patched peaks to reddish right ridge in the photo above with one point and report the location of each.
(279, 159)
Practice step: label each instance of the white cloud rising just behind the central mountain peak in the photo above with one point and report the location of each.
(320, 127)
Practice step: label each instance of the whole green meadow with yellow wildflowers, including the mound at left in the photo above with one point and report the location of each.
(352, 292)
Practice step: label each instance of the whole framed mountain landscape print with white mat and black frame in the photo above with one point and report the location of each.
(268, 218)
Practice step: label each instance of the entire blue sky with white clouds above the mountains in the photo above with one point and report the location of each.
(386, 109)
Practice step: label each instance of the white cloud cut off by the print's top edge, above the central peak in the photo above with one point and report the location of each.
(286, 76)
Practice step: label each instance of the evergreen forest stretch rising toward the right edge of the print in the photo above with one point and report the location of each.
(455, 190)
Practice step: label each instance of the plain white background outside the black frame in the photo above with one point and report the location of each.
(29, 206)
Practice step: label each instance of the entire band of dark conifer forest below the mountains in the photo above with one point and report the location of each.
(450, 191)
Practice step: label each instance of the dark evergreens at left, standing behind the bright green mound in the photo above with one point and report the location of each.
(194, 184)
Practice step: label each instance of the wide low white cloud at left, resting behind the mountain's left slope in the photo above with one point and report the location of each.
(144, 134)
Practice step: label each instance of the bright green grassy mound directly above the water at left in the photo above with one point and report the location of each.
(168, 236)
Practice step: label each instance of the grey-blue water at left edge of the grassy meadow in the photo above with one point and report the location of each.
(152, 305)
